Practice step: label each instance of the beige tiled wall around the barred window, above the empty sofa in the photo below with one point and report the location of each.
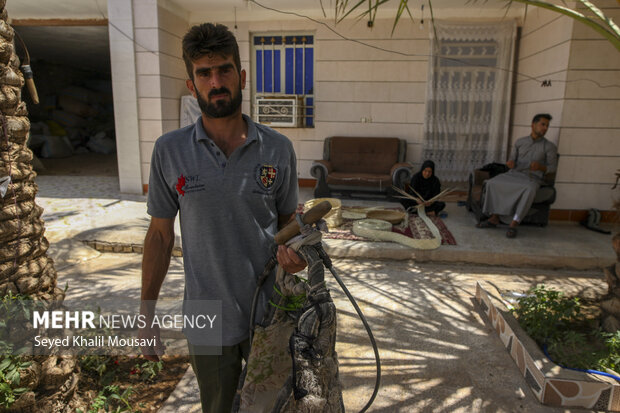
(353, 81)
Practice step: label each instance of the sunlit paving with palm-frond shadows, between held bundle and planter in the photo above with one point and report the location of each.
(437, 352)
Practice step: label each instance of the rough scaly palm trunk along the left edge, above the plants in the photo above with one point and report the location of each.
(25, 267)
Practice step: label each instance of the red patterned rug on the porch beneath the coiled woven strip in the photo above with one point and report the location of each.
(417, 229)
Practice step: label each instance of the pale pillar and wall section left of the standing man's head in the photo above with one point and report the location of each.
(148, 80)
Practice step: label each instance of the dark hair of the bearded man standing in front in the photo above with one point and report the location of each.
(209, 39)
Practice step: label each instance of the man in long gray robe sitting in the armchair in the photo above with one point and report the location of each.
(511, 194)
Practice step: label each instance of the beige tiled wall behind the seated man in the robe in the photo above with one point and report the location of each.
(586, 125)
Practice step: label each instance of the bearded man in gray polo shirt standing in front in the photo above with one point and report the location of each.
(234, 183)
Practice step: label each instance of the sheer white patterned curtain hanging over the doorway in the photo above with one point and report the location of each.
(468, 98)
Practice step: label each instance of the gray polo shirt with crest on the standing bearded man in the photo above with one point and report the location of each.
(229, 211)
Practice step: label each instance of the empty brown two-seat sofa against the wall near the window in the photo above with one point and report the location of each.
(360, 164)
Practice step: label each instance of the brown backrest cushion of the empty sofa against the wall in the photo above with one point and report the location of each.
(363, 155)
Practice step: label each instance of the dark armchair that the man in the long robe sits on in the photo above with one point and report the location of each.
(539, 211)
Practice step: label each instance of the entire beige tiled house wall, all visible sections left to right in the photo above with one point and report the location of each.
(353, 82)
